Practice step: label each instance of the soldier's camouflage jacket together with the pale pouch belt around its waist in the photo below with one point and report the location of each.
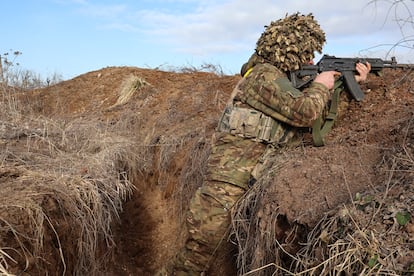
(282, 109)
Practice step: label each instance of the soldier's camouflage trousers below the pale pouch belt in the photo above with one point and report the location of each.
(230, 165)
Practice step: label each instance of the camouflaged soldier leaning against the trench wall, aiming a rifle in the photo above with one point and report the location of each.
(265, 112)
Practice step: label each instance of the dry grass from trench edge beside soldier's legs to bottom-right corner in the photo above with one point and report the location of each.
(372, 235)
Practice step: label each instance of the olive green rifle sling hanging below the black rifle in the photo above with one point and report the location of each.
(318, 130)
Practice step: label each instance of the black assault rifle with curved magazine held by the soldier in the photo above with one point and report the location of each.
(346, 66)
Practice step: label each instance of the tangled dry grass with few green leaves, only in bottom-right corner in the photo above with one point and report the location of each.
(373, 234)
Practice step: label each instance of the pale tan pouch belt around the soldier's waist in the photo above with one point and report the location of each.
(252, 124)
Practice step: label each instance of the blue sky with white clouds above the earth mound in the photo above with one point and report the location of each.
(73, 37)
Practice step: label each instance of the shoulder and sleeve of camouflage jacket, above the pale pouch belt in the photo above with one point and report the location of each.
(268, 90)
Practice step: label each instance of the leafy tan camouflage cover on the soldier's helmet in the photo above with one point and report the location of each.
(289, 42)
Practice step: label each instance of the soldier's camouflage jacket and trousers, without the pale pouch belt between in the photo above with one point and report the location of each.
(235, 159)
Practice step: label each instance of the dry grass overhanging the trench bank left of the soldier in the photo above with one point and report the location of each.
(62, 182)
